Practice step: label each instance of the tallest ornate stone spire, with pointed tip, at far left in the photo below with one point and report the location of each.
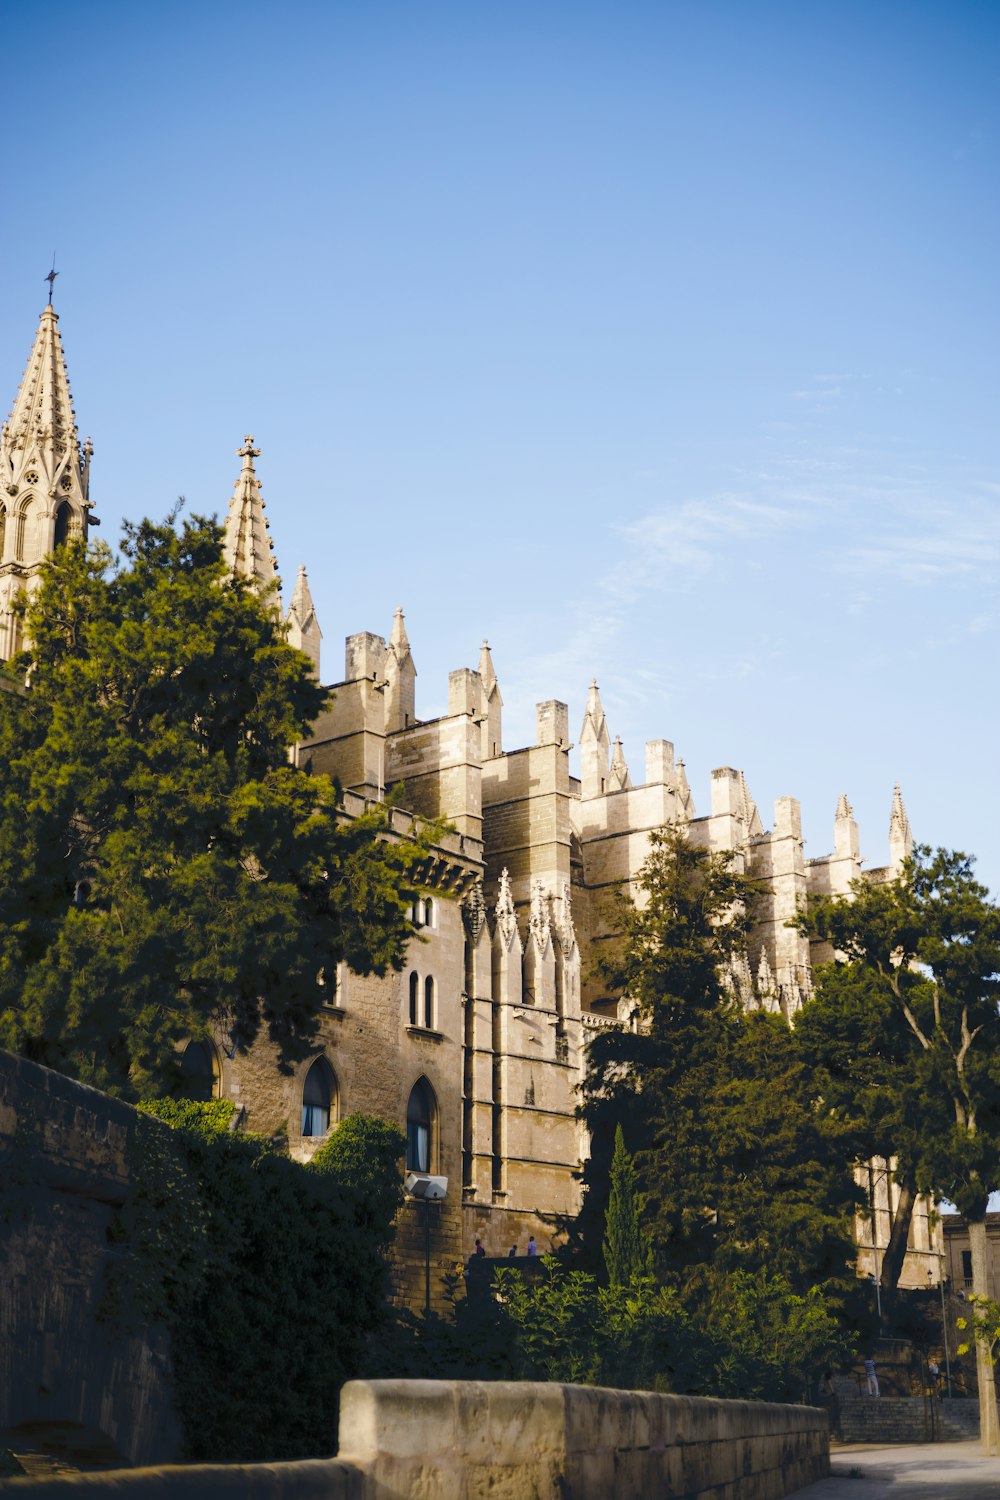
(44, 475)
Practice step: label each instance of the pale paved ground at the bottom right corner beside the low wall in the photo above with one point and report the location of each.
(908, 1472)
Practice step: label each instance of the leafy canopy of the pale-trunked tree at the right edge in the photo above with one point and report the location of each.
(918, 961)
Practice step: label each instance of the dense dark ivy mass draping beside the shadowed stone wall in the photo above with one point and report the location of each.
(269, 1276)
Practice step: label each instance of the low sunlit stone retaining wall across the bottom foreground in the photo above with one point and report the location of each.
(464, 1441)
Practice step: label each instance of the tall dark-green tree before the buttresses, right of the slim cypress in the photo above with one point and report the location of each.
(738, 1165)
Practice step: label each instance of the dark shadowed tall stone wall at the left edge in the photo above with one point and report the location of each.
(64, 1177)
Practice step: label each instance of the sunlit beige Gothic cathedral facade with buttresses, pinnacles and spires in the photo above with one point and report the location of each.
(482, 1039)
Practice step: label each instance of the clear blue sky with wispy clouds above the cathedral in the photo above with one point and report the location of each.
(656, 343)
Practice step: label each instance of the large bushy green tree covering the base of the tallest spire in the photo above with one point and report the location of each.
(164, 871)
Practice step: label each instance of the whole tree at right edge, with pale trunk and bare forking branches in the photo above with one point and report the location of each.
(929, 946)
